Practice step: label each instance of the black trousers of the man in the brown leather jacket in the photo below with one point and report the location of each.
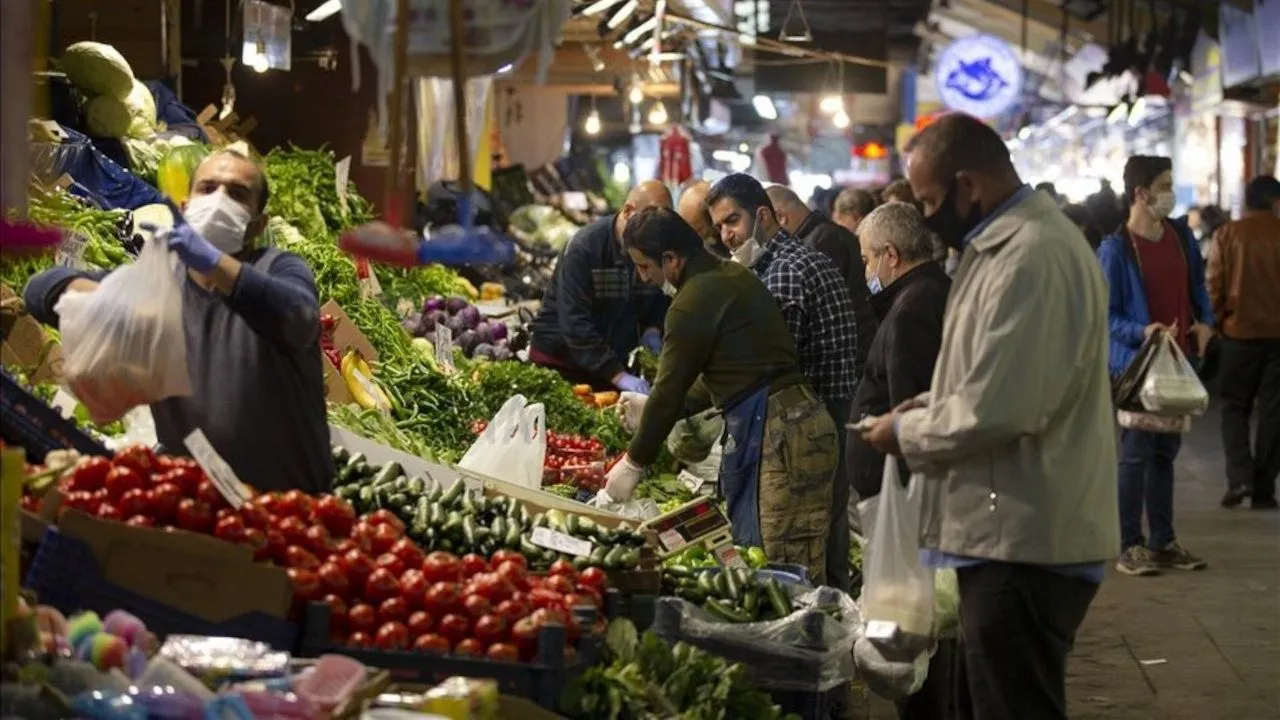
(1251, 379)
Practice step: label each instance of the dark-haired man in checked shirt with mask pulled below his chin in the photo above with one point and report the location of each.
(817, 308)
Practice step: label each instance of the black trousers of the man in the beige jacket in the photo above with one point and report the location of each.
(1017, 626)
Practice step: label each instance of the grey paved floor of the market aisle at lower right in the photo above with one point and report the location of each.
(1217, 632)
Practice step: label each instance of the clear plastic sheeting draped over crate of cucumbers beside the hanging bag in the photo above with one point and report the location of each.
(807, 651)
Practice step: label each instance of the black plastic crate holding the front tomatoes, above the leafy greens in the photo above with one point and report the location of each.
(541, 681)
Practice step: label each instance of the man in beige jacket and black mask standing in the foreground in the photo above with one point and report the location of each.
(1016, 439)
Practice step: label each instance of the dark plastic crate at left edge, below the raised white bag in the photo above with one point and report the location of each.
(26, 422)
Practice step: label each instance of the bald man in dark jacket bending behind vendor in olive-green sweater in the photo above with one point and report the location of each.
(596, 311)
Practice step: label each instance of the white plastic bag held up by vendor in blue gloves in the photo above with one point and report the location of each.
(124, 344)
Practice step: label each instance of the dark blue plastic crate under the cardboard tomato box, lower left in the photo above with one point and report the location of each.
(67, 576)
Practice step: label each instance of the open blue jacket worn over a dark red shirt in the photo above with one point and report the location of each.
(1128, 313)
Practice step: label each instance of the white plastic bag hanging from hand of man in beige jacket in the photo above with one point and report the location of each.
(897, 587)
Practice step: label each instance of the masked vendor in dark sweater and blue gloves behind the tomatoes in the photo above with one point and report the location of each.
(252, 316)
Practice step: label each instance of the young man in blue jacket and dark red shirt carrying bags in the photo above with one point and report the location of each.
(1156, 279)
